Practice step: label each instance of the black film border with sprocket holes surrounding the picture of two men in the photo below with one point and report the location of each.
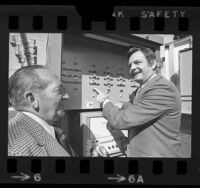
(155, 171)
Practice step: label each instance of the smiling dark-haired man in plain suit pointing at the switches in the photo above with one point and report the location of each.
(153, 114)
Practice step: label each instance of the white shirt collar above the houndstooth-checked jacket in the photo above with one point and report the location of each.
(44, 124)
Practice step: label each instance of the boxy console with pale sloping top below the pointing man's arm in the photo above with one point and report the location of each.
(96, 135)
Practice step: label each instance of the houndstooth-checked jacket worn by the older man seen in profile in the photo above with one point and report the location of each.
(26, 137)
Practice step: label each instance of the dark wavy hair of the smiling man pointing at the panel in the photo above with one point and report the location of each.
(148, 53)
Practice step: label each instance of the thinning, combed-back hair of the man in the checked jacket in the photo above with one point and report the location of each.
(24, 79)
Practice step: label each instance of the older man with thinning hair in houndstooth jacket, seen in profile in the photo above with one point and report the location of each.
(36, 93)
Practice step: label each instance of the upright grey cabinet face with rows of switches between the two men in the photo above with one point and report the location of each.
(96, 66)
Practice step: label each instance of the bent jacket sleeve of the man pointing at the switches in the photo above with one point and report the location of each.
(154, 103)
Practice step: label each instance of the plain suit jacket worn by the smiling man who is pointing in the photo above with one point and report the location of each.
(152, 118)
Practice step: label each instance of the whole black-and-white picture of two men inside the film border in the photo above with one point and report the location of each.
(100, 95)
